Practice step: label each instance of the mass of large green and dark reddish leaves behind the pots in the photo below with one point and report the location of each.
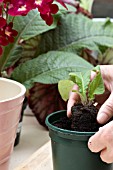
(42, 55)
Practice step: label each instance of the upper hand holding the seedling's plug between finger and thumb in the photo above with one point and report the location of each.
(105, 101)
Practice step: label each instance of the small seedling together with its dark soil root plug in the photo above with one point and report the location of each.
(84, 113)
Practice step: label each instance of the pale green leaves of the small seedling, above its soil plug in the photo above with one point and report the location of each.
(87, 88)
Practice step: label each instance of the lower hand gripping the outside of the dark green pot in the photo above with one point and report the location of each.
(102, 142)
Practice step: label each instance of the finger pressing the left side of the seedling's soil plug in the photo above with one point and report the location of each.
(74, 98)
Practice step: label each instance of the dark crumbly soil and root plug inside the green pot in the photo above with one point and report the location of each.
(83, 119)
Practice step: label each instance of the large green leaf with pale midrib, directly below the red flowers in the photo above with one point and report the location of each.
(29, 27)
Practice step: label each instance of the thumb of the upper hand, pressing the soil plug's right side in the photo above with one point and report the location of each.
(106, 110)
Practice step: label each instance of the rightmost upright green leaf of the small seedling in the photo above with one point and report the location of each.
(96, 86)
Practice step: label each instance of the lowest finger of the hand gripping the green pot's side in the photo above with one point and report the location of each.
(107, 155)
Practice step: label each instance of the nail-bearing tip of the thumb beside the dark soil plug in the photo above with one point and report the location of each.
(102, 118)
